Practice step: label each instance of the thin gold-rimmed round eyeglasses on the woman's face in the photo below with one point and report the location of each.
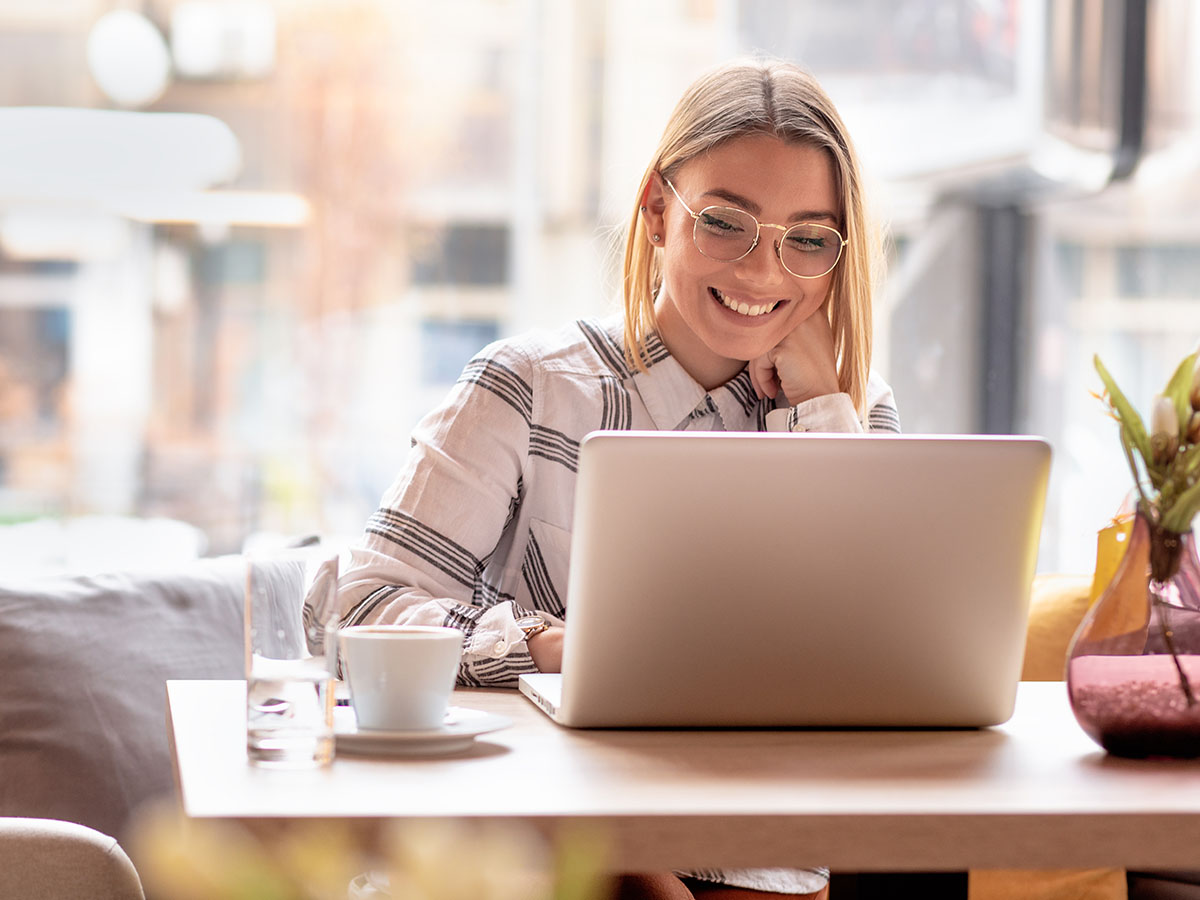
(728, 235)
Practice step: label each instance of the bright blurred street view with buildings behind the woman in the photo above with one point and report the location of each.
(247, 244)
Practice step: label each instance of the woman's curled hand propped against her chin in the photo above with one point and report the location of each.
(803, 365)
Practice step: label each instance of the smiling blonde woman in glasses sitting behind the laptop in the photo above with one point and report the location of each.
(748, 279)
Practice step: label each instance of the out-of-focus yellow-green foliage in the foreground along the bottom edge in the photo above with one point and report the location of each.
(317, 860)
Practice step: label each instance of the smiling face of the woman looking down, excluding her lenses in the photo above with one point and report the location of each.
(698, 308)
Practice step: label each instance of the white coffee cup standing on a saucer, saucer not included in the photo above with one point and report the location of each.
(400, 676)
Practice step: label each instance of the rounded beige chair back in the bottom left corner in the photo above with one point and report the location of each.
(49, 860)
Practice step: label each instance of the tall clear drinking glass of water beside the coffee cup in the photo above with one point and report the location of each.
(291, 657)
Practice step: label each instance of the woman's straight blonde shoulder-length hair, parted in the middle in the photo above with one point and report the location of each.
(779, 99)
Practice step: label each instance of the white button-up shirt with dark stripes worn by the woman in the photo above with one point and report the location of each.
(476, 531)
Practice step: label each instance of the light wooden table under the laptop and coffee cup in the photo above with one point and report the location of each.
(1035, 793)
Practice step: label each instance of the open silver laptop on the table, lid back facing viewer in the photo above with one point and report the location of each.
(797, 580)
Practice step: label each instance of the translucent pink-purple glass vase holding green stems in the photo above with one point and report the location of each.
(1133, 673)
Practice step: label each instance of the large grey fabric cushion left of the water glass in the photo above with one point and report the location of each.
(83, 665)
